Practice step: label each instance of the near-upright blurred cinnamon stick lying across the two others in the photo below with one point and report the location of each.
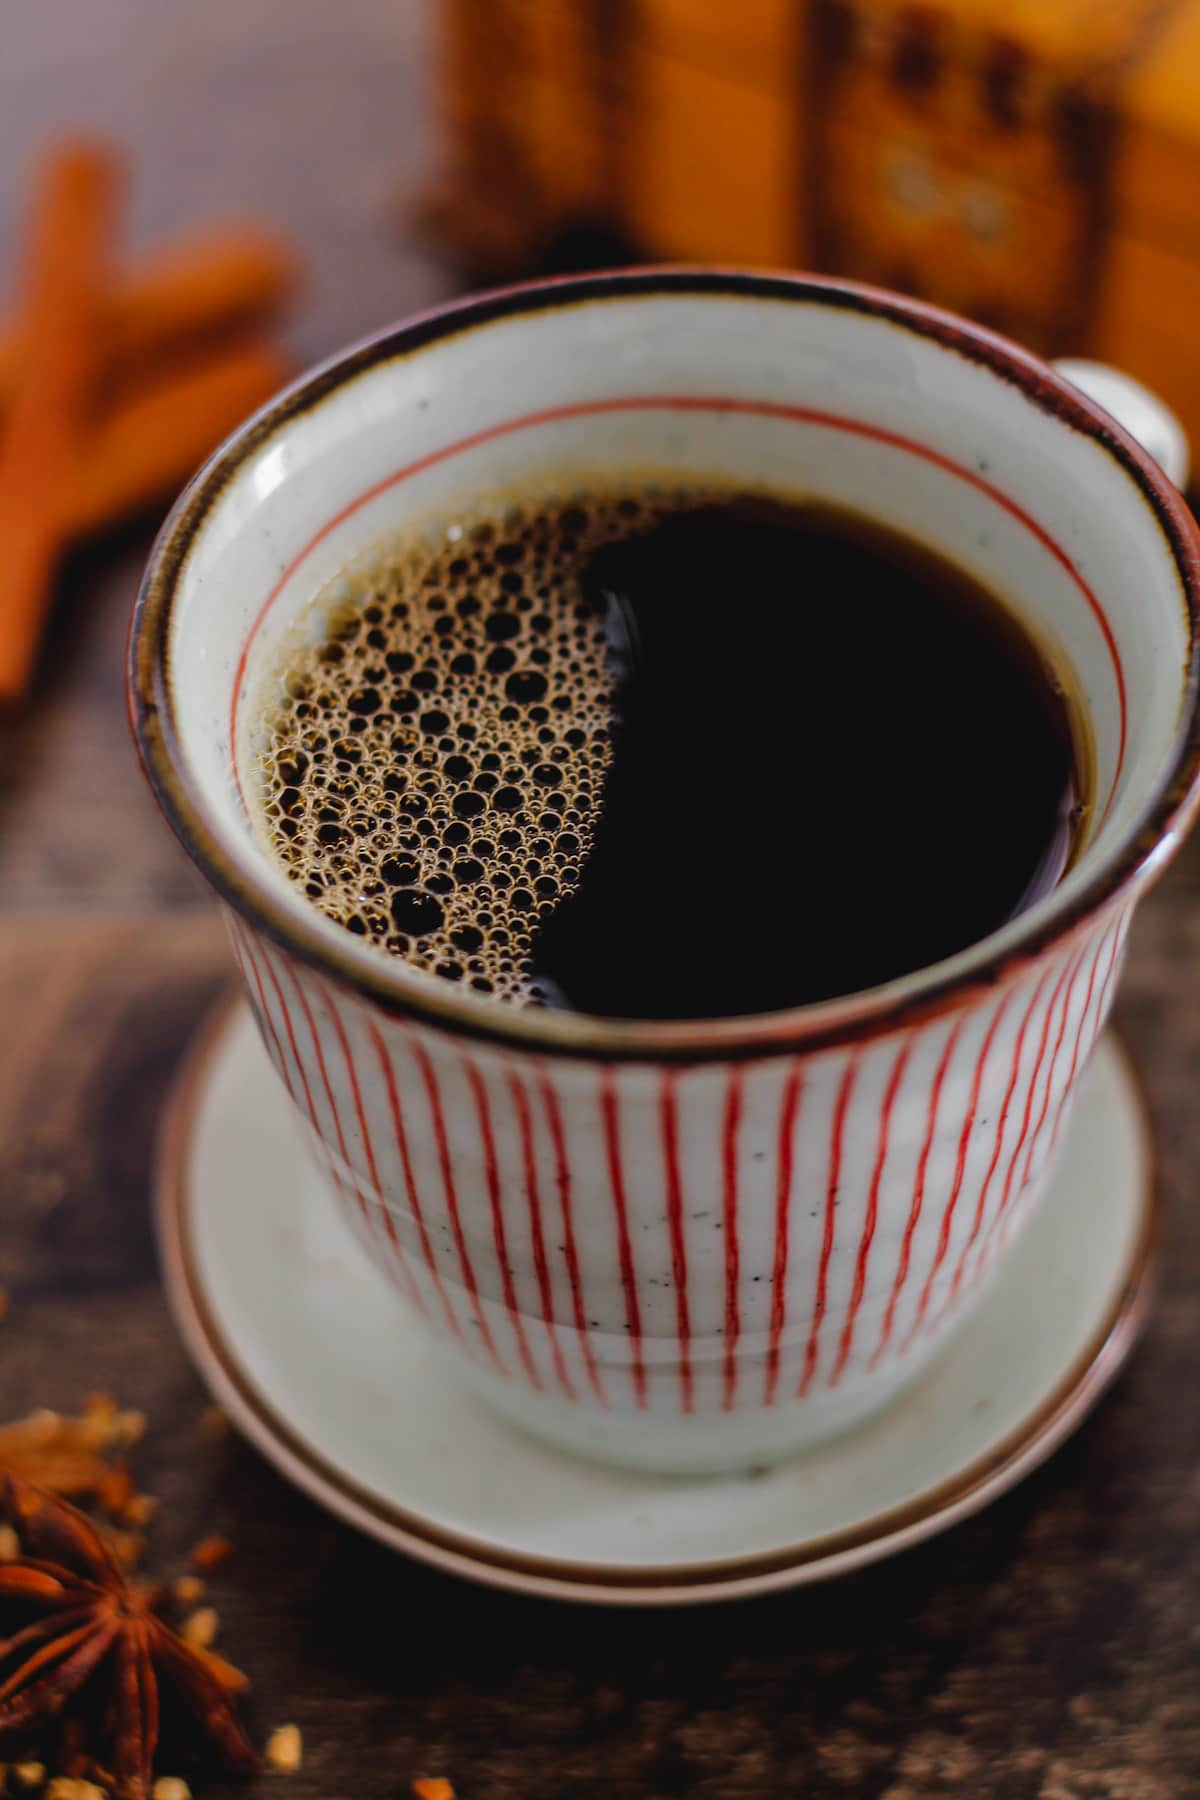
(62, 287)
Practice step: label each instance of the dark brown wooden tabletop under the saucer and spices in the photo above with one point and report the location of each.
(1050, 1648)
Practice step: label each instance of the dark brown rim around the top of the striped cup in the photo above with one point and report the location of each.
(400, 991)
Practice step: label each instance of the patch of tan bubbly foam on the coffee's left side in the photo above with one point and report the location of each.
(433, 760)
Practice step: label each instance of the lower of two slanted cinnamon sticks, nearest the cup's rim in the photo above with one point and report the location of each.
(154, 440)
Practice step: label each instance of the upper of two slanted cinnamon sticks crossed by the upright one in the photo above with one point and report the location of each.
(211, 285)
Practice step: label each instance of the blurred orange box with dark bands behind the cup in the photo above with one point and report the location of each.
(1032, 165)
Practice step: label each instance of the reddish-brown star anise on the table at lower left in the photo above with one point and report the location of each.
(89, 1621)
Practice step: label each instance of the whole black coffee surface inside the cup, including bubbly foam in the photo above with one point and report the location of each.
(672, 755)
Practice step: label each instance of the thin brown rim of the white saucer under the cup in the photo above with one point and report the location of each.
(933, 1511)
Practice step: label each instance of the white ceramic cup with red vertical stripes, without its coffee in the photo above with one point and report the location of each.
(704, 1245)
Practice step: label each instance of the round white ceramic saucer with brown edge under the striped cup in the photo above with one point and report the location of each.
(314, 1358)
